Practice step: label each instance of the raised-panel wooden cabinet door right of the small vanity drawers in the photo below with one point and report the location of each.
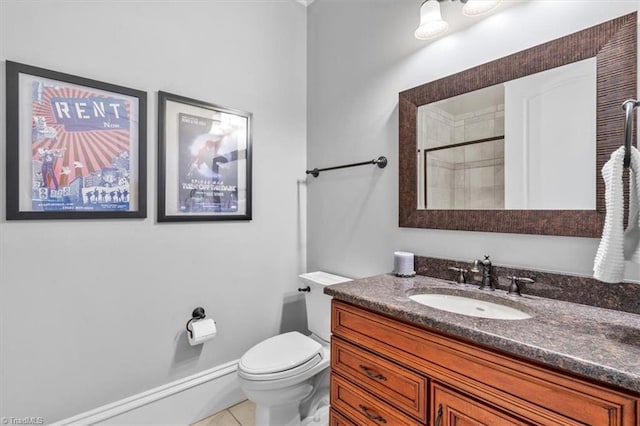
(451, 408)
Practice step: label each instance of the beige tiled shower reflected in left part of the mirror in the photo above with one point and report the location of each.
(466, 177)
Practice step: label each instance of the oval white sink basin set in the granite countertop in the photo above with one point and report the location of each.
(470, 307)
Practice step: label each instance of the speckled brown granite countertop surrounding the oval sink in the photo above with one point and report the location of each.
(597, 343)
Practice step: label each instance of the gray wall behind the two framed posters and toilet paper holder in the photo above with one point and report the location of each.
(94, 311)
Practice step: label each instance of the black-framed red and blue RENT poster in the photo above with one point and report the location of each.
(76, 148)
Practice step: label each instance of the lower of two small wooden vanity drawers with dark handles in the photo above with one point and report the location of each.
(363, 408)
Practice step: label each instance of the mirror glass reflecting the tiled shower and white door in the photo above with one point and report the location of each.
(526, 144)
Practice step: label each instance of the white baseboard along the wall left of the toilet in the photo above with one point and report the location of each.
(182, 402)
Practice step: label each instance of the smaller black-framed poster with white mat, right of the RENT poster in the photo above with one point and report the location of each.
(204, 161)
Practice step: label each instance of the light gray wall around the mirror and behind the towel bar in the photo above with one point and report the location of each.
(361, 54)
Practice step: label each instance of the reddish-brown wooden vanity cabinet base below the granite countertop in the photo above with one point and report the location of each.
(388, 372)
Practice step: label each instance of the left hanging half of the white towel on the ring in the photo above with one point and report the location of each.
(609, 262)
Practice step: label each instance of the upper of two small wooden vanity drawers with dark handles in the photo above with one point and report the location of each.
(400, 387)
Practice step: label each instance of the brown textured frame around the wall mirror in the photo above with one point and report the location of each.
(613, 44)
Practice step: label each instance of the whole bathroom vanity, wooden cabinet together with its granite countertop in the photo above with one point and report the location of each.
(397, 362)
